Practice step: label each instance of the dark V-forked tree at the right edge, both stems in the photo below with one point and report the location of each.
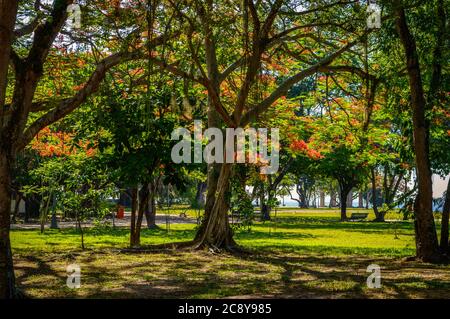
(422, 101)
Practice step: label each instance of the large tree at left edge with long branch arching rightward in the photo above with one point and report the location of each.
(24, 51)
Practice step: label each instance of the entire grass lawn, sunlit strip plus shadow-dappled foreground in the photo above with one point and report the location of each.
(301, 254)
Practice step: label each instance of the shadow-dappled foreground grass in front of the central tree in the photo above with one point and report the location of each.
(180, 274)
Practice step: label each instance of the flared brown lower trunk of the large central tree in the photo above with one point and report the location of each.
(215, 232)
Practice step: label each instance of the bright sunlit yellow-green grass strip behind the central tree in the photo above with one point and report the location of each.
(320, 234)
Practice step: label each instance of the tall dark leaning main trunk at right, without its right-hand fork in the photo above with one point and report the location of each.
(426, 238)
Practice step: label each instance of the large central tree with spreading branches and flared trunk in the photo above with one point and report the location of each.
(231, 46)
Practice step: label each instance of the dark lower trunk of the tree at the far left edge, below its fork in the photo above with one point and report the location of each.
(7, 279)
